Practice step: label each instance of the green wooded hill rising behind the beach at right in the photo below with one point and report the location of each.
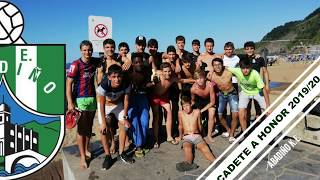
(287, 37)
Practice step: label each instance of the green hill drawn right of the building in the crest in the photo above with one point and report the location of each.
(48, 135)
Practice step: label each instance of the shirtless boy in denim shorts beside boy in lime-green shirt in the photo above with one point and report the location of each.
(227, 94)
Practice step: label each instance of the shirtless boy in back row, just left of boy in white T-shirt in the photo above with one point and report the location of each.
(204, 60)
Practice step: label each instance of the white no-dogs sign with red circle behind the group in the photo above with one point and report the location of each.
(100, 28)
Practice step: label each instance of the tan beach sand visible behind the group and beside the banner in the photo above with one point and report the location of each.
(279, 72)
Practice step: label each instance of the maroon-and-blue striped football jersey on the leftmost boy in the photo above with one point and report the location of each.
(83, 76)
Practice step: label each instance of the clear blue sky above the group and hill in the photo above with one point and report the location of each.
(66, 22)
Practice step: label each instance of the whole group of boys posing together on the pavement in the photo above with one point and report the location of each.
(122, 87)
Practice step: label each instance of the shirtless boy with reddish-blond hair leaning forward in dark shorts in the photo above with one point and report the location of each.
(203, 98)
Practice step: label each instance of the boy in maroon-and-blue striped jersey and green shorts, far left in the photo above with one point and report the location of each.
(81, 94)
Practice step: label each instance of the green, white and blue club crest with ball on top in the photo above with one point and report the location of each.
(32, 100)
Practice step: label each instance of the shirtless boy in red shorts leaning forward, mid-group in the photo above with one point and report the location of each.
(160, 97)
